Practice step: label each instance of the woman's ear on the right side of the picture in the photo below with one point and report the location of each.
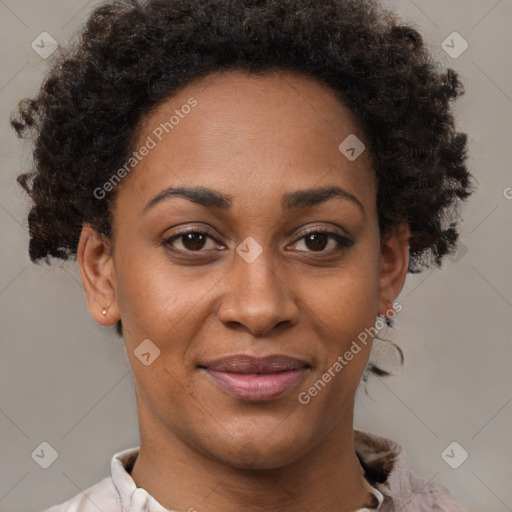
(394, 262)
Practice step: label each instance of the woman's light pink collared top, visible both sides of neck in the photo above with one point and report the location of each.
(383, 459)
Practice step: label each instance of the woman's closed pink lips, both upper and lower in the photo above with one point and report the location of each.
(250, 378)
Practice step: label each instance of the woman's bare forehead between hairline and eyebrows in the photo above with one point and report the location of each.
(246, 133)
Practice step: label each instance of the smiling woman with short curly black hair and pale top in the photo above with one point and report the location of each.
(245, 185)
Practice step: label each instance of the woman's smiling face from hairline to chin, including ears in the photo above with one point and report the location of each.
(251, 279)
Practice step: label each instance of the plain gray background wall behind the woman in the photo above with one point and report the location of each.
(66, 380)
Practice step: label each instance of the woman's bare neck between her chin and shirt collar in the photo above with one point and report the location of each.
(328, 477)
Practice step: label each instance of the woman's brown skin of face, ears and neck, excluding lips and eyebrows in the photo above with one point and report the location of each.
(254, 139)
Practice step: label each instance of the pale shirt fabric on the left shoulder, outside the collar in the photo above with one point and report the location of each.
(100, 496)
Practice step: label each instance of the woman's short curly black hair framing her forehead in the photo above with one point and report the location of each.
(132, 55)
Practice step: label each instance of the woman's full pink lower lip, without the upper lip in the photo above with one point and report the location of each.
(256, 386)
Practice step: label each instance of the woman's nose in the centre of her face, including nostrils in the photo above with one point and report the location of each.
(257, 296)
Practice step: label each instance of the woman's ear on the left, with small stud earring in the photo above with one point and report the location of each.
(98, 278)
